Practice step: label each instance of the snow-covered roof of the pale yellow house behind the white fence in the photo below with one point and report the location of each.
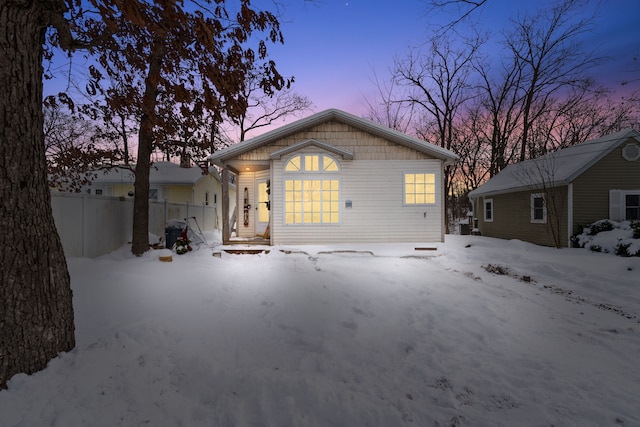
(161, 173)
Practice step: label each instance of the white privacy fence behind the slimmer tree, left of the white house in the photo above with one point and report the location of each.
(90, 226)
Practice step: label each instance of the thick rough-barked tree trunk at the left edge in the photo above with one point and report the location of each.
(36, 310)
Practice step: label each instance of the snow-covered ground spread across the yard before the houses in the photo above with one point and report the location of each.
(480, 332)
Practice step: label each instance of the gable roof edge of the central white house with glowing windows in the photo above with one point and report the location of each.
(400, 138)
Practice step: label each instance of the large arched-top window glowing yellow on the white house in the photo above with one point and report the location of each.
(311, 199)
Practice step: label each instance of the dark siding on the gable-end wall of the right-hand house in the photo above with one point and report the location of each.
(591, 188)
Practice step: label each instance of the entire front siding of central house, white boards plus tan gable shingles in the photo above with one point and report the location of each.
(372, 167)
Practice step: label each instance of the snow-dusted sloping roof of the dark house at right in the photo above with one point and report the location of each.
(554, 169)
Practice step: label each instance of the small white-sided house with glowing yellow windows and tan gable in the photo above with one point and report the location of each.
(334, 178)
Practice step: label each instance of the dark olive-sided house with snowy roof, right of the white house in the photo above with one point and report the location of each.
(549, 199)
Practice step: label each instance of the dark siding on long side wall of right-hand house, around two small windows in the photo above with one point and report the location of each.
(512, 217)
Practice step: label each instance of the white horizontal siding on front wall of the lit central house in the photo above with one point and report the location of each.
(375, 188)
